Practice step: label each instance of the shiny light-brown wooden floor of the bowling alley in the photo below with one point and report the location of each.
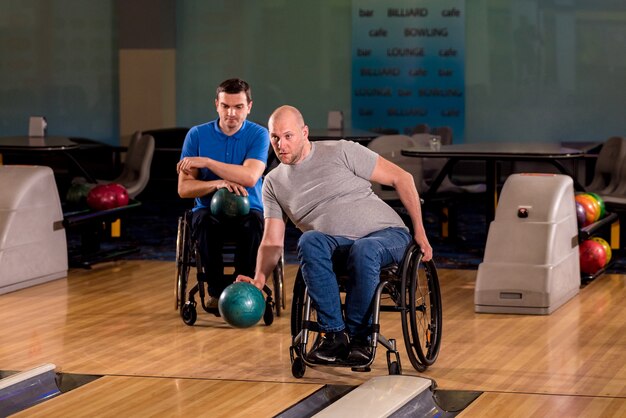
(118, 320)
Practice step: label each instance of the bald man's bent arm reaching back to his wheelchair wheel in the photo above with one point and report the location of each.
(387, 173)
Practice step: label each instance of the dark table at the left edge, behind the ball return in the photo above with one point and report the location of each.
(44, 144)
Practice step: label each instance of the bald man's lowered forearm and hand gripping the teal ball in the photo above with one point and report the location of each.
(269, 253)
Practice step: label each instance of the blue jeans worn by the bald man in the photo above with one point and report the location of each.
(363, 258)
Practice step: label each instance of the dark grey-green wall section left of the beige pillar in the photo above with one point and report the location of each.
(59, 59)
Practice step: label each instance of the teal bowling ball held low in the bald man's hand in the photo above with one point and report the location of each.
(241, 305)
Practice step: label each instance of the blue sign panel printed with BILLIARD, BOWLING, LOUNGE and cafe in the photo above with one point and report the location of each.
(408, 65)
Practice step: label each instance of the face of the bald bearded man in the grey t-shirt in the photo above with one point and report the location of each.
(288, 138)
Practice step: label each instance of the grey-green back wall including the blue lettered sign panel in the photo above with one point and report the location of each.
(540, 71)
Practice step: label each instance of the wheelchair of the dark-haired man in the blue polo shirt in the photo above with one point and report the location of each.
(187, 256)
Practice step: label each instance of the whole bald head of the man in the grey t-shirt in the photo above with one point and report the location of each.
(289, 135)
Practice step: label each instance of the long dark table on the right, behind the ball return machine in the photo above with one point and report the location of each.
(492, 153)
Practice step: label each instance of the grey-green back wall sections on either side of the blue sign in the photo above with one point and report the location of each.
(536, 70)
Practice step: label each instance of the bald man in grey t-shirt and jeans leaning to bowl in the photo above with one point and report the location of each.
(325, 189)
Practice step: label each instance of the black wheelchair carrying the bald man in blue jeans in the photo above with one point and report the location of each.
(410, 288)
